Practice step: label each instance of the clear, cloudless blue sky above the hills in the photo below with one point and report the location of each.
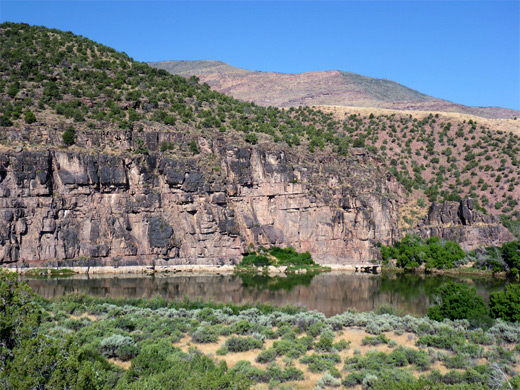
(464, 51)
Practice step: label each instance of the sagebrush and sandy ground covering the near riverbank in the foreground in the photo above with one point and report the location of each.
(83, 342)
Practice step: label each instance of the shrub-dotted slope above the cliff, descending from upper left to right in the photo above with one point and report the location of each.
(91, 83)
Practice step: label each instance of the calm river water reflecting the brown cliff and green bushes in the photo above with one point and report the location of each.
(330, 293)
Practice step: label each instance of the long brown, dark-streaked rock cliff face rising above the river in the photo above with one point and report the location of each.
(143, 210)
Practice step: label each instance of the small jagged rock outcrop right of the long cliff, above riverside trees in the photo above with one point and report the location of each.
(461, 222)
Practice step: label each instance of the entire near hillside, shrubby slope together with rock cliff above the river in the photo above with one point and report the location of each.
(110, 162)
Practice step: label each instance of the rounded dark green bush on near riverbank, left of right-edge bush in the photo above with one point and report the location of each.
(457, 301)
